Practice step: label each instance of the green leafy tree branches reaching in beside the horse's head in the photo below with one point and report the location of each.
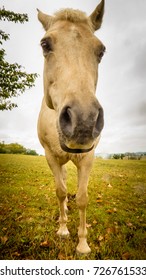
(13, 81)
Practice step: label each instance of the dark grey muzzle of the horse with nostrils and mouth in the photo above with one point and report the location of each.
(78, 130)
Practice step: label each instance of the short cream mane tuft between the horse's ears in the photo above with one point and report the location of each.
(75, 16)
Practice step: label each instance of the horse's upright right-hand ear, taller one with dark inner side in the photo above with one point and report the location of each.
(97, 15)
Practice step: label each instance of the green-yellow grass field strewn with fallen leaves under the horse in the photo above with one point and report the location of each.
(116, 214)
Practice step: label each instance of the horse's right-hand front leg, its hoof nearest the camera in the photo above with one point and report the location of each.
(82, 200)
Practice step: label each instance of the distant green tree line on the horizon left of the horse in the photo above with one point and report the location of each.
(15, 148)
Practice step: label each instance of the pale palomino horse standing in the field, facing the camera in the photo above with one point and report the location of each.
(71, 118)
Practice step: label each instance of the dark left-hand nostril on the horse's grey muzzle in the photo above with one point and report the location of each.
(65, 121)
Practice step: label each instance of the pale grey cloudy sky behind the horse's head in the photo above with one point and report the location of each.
(122, 74)
